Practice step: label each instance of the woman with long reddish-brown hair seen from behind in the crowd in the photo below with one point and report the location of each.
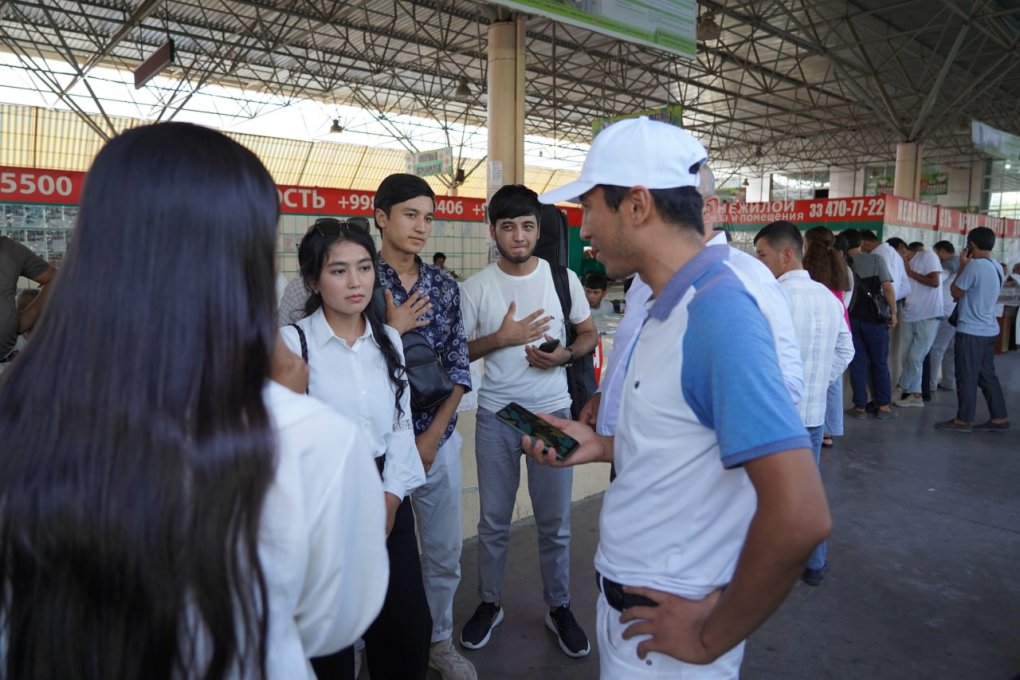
(826, 264)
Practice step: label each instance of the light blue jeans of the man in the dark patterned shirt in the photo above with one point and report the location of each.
(437, 507)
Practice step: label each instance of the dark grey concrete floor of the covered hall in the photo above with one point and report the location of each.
(925, 554)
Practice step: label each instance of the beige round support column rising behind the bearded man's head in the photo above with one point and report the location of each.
(506, 104)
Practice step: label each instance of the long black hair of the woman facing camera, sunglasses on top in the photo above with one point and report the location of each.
(313, 254)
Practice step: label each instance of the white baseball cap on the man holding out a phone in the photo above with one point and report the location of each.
(637, 152)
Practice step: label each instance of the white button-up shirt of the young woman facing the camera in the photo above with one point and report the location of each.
(355, 382)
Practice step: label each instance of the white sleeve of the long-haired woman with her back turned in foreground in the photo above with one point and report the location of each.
(348, 568)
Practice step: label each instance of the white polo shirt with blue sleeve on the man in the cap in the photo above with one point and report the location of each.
(703, 395)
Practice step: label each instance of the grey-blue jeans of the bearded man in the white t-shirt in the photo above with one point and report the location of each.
(498, 452)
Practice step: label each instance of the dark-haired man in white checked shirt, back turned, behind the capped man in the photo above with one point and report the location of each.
(827, 346)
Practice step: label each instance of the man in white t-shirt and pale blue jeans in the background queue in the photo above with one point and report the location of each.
(922, 311)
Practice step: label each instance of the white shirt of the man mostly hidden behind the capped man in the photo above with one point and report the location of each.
(771, 298)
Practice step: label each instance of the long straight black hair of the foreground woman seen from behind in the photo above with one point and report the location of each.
(137, 448)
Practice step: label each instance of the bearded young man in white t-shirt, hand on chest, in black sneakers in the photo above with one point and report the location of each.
(511, 308)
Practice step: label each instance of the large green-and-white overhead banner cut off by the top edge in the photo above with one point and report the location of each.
(668, 25)
